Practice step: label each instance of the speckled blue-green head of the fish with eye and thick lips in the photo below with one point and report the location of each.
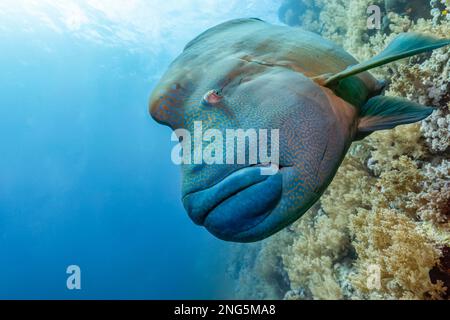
(245, 201)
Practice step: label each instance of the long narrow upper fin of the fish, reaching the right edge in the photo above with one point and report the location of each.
(403, 46)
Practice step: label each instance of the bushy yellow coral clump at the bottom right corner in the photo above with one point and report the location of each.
(391, 241)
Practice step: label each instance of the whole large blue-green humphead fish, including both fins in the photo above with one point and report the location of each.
(246, 74)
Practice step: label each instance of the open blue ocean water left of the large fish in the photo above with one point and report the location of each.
(85, 175)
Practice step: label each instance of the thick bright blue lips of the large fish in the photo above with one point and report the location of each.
(236, 204)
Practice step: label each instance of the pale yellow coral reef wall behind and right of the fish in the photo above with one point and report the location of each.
(382, 229)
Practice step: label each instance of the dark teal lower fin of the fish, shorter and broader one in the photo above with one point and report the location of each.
(380, 113)
